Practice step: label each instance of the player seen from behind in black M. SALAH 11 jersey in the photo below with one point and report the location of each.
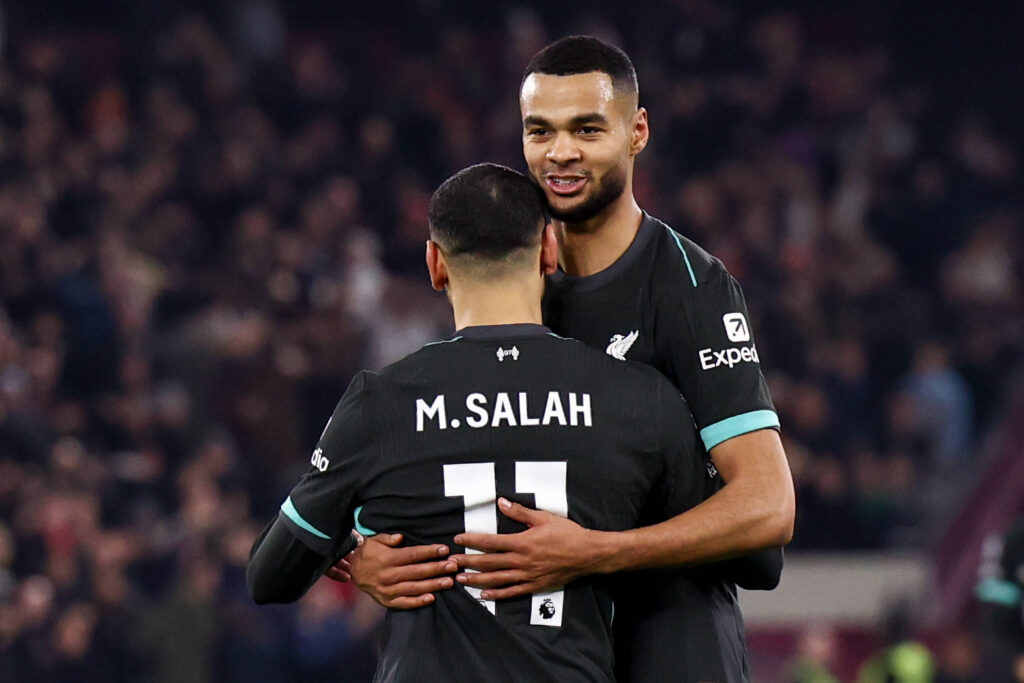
(504, 410)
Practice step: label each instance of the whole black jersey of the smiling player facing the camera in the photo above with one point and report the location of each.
(668, 304)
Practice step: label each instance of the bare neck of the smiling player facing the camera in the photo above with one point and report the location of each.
(592, 246)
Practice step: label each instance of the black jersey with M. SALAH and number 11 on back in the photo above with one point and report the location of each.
(429, 445)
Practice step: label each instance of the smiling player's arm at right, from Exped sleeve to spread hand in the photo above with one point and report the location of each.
(718, 370)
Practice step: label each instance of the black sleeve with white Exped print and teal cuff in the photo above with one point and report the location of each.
(713, 359)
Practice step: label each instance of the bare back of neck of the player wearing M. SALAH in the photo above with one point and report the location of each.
(503, 303)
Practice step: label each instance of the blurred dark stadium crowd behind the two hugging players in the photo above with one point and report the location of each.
(210, 220)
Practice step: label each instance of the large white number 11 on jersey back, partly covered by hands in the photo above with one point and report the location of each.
(476, 484)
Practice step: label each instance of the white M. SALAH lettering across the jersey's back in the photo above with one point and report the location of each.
(569, 410)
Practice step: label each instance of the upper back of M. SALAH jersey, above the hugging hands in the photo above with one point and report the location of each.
(518, 412)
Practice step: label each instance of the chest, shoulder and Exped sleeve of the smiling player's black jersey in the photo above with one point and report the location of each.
(670, 305)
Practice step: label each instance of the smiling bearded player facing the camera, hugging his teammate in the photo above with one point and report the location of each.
(632, 286)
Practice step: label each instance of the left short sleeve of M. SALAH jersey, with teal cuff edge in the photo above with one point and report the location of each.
(321, 509)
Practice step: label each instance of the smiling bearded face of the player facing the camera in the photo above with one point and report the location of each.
(580, 137)
